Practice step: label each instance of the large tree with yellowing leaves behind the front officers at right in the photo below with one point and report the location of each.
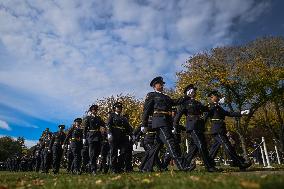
(248, 76)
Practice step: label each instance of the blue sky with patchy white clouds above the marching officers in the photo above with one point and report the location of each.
(57, 57)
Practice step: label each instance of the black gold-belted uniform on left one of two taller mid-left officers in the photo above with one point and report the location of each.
(93, 135)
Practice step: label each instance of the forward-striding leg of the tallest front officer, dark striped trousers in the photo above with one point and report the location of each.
(165, 134)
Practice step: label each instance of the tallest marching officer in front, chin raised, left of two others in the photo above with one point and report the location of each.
(160, 105)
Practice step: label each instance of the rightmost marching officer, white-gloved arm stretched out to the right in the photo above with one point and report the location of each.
(217, 116)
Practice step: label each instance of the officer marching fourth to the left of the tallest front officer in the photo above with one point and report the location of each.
(57, 148)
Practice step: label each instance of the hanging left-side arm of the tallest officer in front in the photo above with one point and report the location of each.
(148, 109)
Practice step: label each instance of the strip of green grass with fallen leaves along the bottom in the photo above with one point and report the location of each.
(254, 178)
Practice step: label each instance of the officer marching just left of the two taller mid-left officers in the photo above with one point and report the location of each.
(75, 134)
